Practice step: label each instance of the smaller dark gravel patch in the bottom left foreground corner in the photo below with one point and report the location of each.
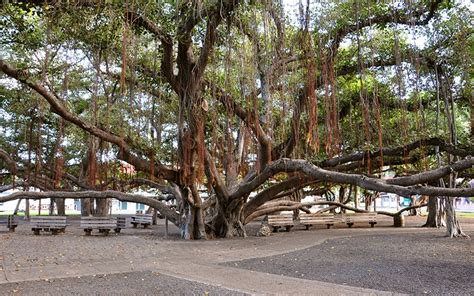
(136, 283)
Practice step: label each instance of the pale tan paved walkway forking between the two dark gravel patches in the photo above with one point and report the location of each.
(25, 257)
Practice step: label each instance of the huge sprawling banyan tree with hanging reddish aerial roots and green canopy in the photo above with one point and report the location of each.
(236, 109)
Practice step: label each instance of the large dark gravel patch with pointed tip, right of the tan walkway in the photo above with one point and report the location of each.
(423, 263)
